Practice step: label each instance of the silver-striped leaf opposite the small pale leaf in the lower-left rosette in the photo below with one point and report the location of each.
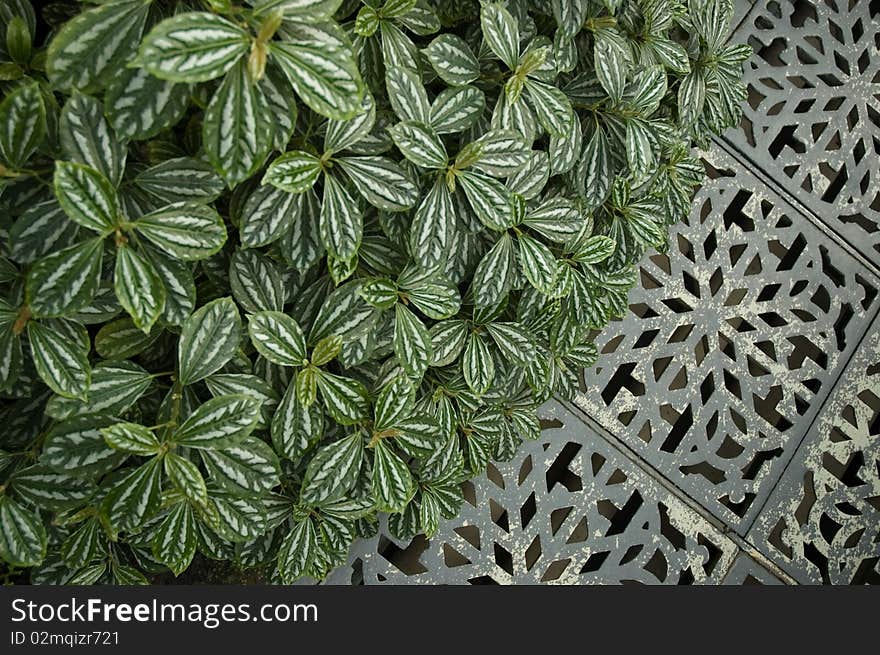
(219, 422)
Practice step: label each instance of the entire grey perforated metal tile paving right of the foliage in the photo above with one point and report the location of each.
(730, 431)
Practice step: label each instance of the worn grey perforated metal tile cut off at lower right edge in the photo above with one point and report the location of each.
(822, 523)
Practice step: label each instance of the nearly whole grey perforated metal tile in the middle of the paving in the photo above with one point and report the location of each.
(734, 339)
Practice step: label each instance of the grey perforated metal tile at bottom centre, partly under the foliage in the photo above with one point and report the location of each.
(569, 509)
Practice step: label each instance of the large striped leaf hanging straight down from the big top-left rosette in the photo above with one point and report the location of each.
(236, 132)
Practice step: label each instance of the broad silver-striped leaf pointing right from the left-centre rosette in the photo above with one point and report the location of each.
(186, 230)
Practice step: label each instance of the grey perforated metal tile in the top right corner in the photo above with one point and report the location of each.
(812, 121)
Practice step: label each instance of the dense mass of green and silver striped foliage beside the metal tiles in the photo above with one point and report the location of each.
(269, 269)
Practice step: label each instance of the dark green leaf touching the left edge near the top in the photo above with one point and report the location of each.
(23, 117)
